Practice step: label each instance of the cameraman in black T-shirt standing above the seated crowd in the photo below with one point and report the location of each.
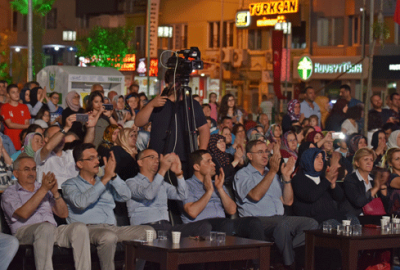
(169, 125)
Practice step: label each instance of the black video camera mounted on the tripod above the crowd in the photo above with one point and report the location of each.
(185, 61)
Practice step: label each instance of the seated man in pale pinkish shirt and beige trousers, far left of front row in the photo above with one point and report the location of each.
(29, 208)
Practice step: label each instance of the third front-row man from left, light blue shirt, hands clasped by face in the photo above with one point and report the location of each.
(150, 194)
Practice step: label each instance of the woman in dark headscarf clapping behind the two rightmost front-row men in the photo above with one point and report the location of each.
(229, 163)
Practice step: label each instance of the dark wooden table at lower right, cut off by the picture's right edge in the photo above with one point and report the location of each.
(349, 245)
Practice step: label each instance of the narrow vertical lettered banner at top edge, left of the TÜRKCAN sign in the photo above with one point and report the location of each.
(152, 29)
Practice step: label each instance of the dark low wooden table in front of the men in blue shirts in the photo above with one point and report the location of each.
(169, 255)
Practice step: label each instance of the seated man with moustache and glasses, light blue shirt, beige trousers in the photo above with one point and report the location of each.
(90, 200)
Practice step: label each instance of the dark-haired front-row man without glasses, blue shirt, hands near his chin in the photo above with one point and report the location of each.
(209, 201)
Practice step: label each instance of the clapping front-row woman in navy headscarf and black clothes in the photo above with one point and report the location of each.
(316, 194)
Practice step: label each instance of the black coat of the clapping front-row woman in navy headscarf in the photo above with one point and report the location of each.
(316, 201)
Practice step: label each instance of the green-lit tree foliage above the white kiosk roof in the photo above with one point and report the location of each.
(106, 47)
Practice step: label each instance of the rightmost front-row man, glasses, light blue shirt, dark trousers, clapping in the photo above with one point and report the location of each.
(260, 193)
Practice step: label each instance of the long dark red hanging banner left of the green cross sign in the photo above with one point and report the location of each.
(277, 37)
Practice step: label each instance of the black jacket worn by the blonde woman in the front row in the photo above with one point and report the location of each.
(356, 197)
